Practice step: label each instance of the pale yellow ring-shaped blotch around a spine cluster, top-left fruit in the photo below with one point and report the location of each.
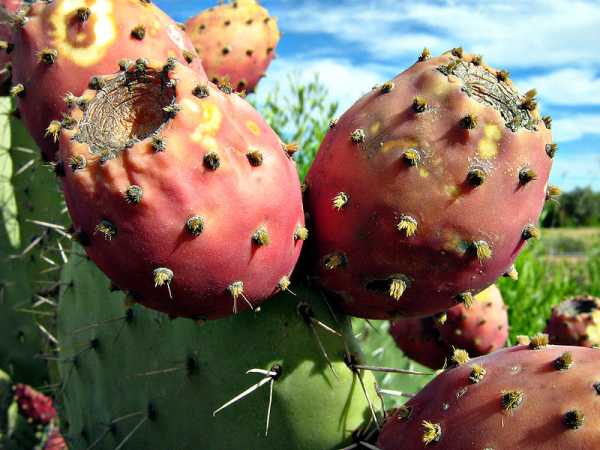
(100, 37)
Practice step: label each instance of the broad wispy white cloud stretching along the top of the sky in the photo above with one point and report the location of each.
(516, 34)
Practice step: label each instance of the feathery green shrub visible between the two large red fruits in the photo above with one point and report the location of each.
(300, 113)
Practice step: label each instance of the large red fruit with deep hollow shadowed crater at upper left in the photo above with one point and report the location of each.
(185, 194)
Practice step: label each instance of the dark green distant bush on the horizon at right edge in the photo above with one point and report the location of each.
(578, 208)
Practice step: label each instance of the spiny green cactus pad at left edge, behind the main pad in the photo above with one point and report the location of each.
(31, 251)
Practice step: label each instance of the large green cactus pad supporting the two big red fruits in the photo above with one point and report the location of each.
(117, 362)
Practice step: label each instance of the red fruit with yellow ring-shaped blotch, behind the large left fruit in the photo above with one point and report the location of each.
(88, 38)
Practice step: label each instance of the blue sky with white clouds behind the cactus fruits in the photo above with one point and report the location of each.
(551, 45)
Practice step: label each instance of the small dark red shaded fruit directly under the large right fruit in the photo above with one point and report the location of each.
(420, 340)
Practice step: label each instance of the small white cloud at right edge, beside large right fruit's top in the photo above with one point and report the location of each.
(566, 87)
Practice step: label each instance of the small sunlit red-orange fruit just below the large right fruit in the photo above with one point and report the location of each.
(479, 329)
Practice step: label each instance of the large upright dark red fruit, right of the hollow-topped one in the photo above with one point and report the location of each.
(413, 204)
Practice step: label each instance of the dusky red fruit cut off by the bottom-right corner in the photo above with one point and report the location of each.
(542, 399)
